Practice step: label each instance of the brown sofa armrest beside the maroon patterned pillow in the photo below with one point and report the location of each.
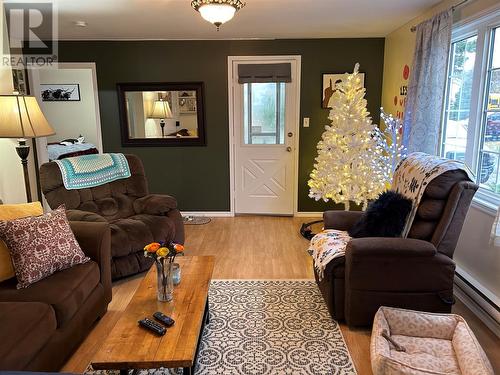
(95, 240)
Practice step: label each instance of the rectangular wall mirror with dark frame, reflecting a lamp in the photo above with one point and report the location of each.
(162, 114)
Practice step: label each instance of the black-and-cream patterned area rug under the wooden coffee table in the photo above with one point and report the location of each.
(261, 327)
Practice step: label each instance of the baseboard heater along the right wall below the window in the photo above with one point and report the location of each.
(487, 313)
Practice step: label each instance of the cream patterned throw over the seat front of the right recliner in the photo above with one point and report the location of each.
(326, 246)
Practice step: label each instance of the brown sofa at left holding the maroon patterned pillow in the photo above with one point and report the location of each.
(43, 324)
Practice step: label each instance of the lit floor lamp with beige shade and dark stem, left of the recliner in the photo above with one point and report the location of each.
(21, 117)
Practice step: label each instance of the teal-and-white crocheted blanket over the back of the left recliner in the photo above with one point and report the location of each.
(88, 171)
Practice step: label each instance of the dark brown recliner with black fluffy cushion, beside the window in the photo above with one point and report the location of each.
(415, 272)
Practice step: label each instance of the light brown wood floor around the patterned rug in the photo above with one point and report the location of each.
(250, 247)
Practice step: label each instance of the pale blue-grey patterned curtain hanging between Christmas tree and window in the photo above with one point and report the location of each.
(425, 100)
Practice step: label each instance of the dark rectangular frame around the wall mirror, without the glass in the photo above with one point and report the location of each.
(159, 86)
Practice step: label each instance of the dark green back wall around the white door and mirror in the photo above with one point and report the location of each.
(199, 176)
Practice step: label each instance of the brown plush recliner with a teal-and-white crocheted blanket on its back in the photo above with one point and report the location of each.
(136, 217)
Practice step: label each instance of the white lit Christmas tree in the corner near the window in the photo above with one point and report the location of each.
(351, 165)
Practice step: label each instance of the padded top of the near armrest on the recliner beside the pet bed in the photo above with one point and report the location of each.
(389, 246)
